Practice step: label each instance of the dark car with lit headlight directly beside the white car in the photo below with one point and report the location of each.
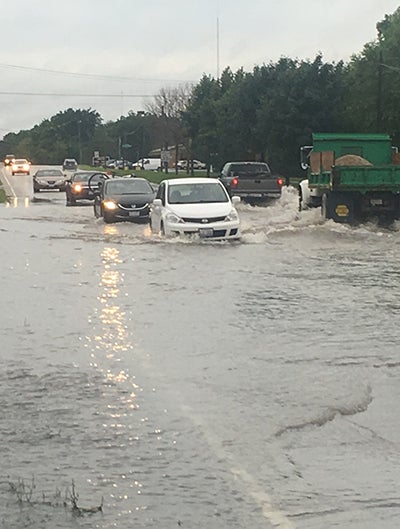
(124, 199)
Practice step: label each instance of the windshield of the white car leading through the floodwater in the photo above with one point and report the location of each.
(195, 193)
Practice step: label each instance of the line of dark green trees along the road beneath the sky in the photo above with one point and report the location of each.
(265, 114)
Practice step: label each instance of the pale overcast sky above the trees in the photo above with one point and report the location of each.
(98, 54)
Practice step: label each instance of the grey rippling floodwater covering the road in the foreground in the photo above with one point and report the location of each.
(191, 384)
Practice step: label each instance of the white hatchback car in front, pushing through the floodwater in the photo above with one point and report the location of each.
(195, 206)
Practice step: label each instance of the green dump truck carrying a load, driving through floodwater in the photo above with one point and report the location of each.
(352, 177)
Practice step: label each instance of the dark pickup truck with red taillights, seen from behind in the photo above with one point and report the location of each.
(251, 180)
